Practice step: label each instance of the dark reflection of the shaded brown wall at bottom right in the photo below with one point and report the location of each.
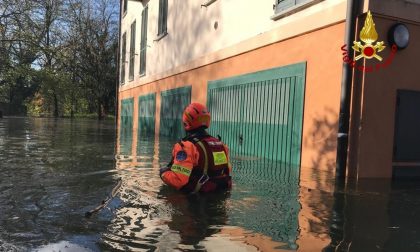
(375, 215)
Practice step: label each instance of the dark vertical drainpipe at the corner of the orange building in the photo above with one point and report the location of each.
(344, 117)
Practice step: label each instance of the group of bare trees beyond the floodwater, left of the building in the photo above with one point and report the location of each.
(59, 53)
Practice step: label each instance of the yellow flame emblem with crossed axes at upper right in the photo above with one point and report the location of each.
(368, 35)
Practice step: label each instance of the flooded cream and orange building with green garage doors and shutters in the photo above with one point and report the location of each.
(271, 73)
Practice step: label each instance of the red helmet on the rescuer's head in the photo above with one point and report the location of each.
(195, 115)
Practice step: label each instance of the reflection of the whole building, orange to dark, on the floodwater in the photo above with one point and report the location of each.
(269, 208)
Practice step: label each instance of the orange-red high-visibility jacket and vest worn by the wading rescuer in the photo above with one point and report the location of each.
(199, 164)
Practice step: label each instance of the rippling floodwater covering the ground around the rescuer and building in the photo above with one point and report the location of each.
(54, 171)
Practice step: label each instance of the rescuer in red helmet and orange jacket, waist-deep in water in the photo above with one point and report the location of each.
(200, 162)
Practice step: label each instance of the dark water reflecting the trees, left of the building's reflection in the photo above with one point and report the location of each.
(49, 178)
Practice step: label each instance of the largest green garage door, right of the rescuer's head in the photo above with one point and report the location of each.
(260, 114)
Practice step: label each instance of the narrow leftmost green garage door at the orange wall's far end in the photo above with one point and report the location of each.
(126, 127)
